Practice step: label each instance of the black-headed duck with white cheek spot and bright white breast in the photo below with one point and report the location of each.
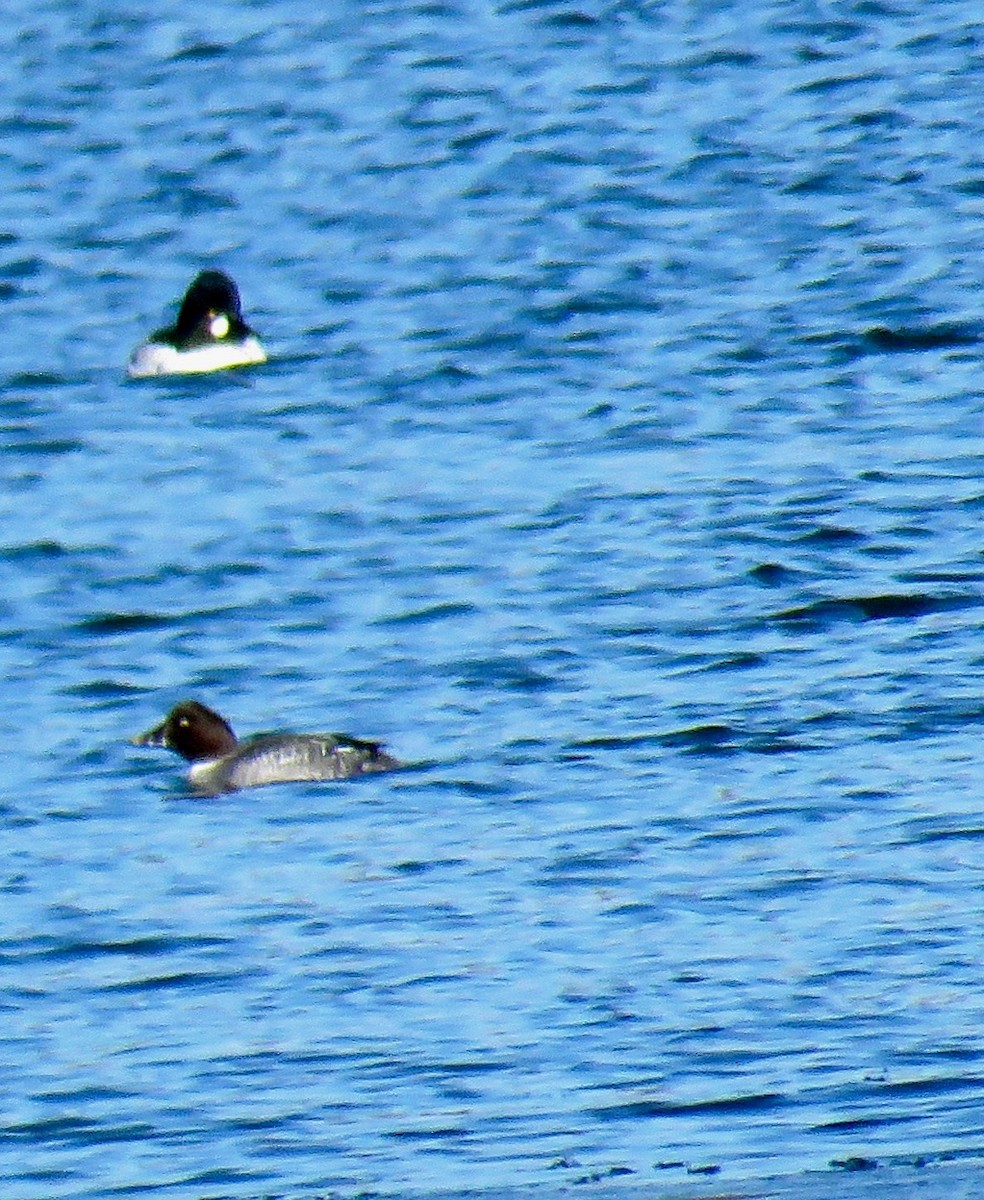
(209, 334)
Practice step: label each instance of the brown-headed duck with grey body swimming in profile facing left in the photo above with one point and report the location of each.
(220, 763)
